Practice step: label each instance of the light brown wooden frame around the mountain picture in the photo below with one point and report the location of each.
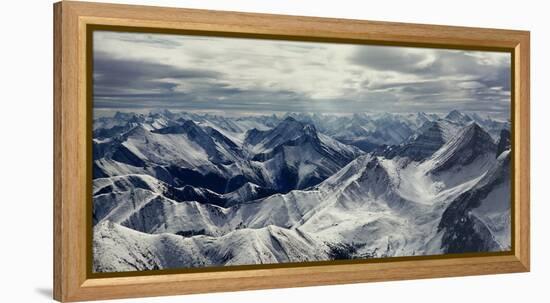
(72, 112)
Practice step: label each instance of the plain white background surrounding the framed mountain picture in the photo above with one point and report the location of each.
(26, 149)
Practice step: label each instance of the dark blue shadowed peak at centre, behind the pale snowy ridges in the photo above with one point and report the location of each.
(295, 156)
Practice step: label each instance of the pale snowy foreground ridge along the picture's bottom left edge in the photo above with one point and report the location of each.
(119, 249)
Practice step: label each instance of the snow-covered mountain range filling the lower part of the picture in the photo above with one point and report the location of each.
(182, 189)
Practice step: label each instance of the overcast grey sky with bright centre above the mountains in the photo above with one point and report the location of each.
(137, 71)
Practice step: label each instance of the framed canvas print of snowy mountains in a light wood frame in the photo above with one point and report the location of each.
(201, 151)
